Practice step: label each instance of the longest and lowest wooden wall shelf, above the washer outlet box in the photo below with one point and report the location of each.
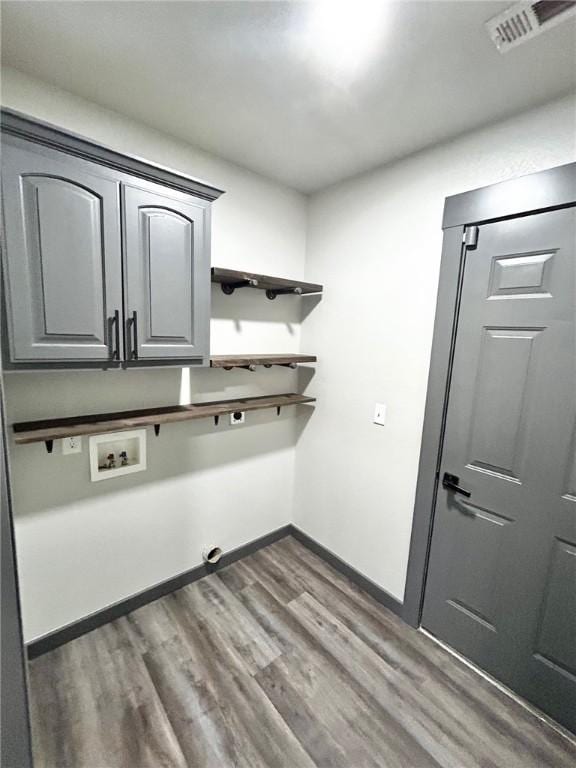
(49, 430)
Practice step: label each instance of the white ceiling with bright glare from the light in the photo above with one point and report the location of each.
(244, 80)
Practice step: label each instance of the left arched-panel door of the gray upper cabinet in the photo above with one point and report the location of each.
(62, 259)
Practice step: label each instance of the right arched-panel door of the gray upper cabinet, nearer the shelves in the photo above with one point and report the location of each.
(167, 275)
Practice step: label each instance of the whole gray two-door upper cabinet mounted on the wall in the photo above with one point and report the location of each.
(101, 265)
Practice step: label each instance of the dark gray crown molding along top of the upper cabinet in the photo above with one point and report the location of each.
(16, 124)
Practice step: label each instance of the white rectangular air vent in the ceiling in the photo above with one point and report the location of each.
(523, 21)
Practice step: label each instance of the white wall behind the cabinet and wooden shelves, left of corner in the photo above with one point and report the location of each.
(82, 546)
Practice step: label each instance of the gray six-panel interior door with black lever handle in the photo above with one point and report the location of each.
(501, 585)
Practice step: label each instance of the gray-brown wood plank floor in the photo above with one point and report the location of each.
(276, 661)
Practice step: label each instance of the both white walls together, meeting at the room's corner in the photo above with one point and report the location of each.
(375, 243)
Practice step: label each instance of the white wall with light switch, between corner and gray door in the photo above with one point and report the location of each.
(375, 243)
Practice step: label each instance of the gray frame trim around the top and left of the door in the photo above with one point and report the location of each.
(547, 190)
